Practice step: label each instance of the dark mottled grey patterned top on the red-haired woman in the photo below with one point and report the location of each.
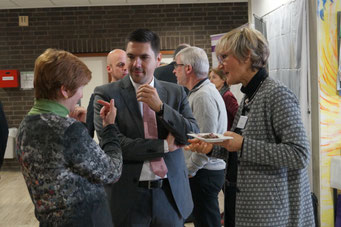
(64, 168)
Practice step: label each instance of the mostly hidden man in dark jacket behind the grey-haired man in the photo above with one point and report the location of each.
(165, 72)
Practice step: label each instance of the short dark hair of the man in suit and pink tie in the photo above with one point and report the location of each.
(143, 35)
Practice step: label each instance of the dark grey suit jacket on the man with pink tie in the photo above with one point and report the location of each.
(177, 119)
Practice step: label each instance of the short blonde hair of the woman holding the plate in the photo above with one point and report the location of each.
(243, 41)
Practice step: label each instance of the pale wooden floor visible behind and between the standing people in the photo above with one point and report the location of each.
(16, 207)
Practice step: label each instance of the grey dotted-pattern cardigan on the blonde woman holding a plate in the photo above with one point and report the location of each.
(272, 174)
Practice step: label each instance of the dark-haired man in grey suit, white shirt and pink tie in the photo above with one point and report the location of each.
(142, 196)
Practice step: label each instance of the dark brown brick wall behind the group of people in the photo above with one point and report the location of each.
(100, 29)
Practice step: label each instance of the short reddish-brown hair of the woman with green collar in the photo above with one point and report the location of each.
(55, 68)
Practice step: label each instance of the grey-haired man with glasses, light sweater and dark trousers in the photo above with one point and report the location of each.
(206, 173)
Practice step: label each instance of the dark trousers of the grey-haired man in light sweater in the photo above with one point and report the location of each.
(205, 187)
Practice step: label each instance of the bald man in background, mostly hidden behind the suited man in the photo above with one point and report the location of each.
(117, 69)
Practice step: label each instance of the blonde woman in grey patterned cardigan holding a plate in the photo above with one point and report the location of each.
(267, 181)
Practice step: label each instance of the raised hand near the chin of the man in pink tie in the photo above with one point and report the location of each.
(149, 95)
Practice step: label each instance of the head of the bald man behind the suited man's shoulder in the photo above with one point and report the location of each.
(116, 64)
